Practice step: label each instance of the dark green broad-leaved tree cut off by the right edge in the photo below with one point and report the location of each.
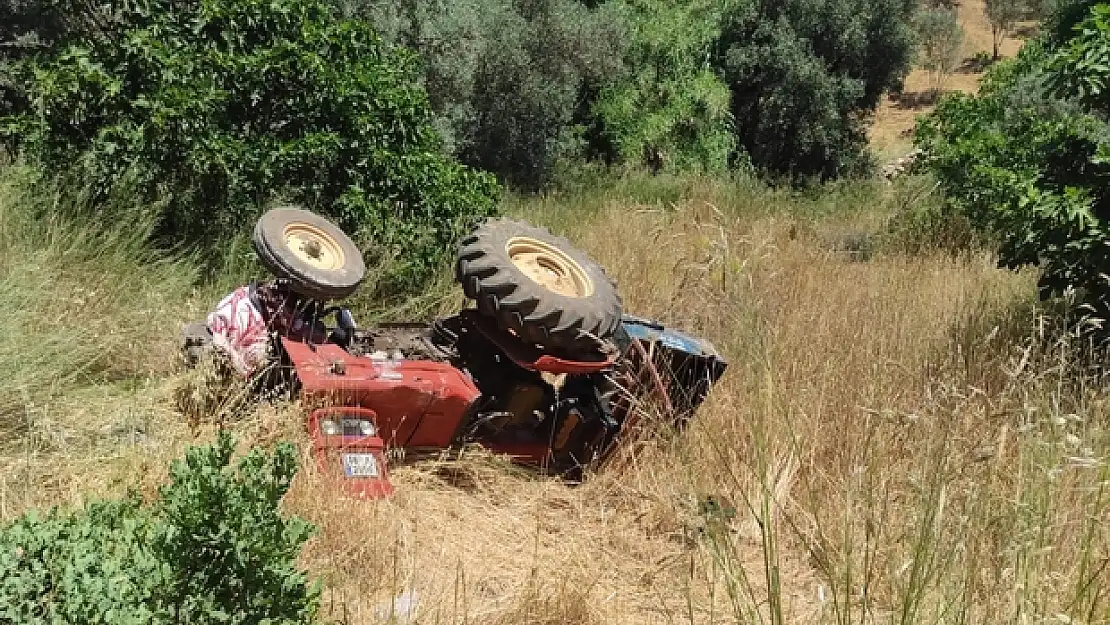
(1027, 162)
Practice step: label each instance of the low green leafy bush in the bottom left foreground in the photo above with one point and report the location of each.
(214, 549)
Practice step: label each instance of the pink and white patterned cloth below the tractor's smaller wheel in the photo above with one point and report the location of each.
(240, 331)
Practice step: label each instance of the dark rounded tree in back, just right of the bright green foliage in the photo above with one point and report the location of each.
(804, 76)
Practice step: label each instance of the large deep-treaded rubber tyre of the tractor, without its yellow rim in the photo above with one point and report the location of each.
(531, 310)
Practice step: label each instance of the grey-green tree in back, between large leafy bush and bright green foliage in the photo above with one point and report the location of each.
(510, 82)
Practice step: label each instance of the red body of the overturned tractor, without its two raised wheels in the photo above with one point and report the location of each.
(433, 399)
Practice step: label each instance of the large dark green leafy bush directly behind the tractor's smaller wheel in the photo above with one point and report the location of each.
(221, 106)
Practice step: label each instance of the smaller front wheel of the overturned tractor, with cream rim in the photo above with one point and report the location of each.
(318, 259)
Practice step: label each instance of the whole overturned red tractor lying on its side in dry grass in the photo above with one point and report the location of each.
(546, 369)
